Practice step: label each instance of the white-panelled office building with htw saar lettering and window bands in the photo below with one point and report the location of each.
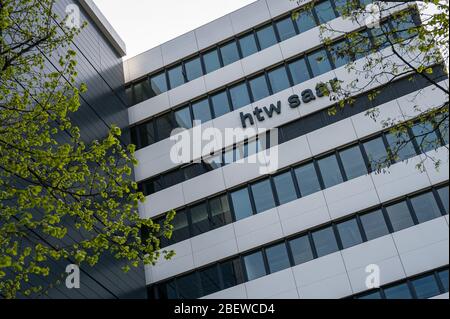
(311, 228)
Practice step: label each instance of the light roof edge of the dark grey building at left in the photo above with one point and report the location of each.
(105, 27)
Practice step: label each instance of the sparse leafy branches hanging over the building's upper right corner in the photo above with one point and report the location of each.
(398, 39)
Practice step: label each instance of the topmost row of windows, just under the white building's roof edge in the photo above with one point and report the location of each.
(234, 50)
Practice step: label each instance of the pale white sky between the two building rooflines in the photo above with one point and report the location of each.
(144, 24)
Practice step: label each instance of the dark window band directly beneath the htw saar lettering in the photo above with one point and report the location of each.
(286, 132)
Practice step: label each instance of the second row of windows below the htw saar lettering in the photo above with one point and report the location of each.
(295, 182)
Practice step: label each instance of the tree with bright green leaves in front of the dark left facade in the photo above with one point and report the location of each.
(50, 178)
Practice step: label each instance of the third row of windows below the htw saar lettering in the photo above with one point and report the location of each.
(307, 246)
